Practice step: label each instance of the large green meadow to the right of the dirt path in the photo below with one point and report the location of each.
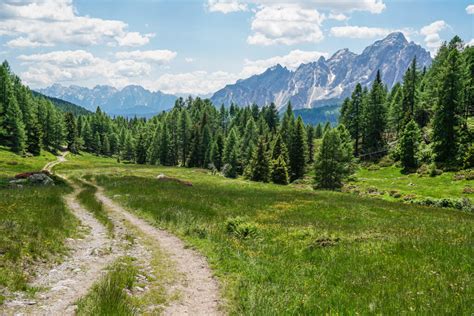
(284, 250)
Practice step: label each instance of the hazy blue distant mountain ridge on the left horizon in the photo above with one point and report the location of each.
(129, 101)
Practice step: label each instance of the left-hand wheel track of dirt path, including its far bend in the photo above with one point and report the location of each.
(70, 280)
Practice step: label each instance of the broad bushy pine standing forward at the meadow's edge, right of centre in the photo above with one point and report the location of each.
(332, 164)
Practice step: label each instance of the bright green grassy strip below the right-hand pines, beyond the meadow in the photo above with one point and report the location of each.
(391, 178)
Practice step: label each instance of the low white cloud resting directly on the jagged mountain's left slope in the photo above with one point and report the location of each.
(291, 61)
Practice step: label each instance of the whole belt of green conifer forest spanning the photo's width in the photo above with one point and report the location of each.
(422, 120)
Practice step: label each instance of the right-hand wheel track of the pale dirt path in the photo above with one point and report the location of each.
(199, 290)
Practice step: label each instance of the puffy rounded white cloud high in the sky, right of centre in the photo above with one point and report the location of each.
(286, 24)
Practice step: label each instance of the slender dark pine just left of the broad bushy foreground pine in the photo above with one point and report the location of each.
(298, 152)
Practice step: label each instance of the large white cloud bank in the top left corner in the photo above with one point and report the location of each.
(50, 22)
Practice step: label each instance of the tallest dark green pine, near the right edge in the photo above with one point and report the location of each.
(447, 118)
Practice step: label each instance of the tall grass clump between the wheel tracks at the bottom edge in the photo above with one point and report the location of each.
(108, 296)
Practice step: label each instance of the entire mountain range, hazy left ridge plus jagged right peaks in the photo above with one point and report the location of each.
(324, 82)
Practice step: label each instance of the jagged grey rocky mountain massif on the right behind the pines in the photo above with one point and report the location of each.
(326, 81)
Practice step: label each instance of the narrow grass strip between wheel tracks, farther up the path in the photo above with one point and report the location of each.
(87, 199)
